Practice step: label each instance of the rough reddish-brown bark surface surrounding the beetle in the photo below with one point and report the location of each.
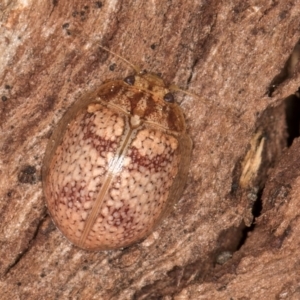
(226, 52)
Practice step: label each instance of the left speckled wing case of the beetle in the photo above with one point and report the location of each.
(79, 166)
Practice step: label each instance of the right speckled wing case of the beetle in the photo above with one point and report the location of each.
(137, 196)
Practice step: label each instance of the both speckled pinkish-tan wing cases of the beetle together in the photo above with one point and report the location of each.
(137, 192)
